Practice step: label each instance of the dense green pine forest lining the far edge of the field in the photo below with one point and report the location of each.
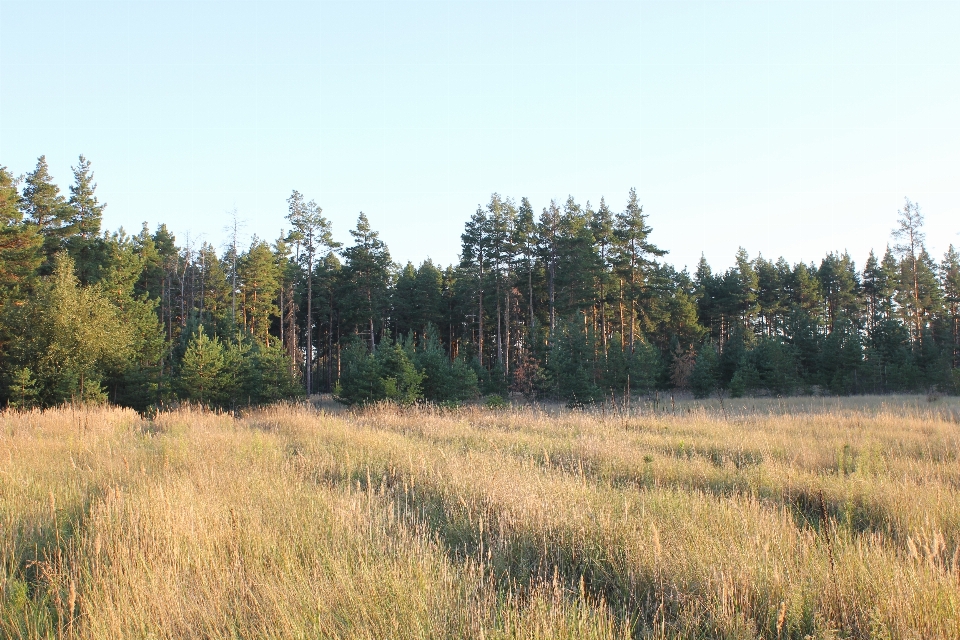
(575, 303)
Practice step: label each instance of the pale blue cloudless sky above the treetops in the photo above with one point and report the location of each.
(790, 128)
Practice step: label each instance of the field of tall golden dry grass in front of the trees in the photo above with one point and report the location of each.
(768, 518)
